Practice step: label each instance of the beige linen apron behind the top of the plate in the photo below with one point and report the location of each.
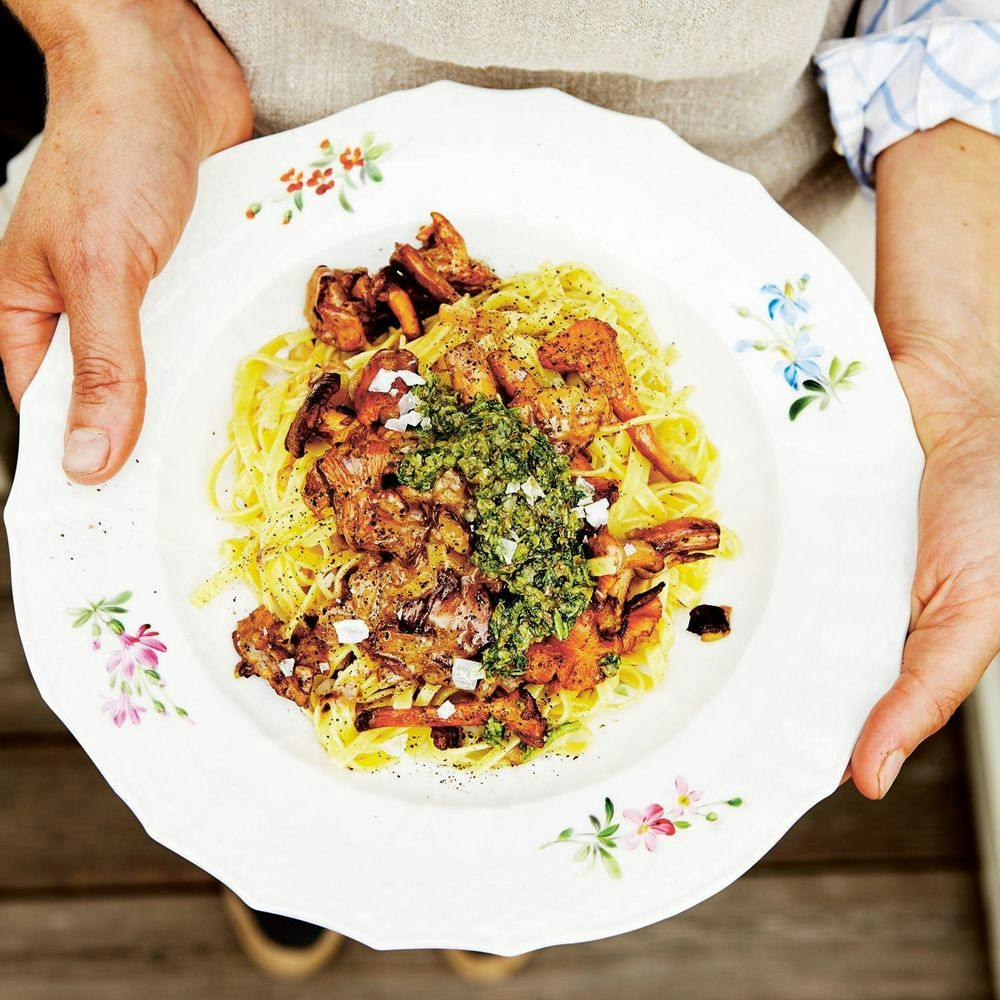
(732, 77)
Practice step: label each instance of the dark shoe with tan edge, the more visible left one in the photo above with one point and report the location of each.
(281, 947)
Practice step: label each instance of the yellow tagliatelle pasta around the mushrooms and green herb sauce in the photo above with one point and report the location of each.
(296, 562)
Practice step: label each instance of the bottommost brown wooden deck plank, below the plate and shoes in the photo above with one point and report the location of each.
(776, 937)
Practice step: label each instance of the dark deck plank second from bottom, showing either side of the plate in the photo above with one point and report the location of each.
(62, 826)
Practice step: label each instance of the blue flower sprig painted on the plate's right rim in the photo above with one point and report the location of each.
(799, 359)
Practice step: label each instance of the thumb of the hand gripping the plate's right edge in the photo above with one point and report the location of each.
(943, 658)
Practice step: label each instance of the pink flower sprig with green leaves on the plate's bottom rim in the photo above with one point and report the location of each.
(645, 828)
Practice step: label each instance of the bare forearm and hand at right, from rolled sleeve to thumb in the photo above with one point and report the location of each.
(938, 300)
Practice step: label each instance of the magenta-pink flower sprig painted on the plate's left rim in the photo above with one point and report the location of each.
(135, 683)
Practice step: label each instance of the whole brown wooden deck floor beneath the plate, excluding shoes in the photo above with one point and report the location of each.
(859, 901)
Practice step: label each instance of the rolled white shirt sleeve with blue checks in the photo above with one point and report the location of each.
(912, 65)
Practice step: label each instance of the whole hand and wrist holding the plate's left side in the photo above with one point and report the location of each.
(139, 94)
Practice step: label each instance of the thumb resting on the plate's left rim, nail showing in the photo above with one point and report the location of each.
(109, 380)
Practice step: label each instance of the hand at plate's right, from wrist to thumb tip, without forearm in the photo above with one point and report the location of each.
(955, 621)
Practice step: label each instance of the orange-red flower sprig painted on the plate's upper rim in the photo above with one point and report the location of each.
(352, 166)
